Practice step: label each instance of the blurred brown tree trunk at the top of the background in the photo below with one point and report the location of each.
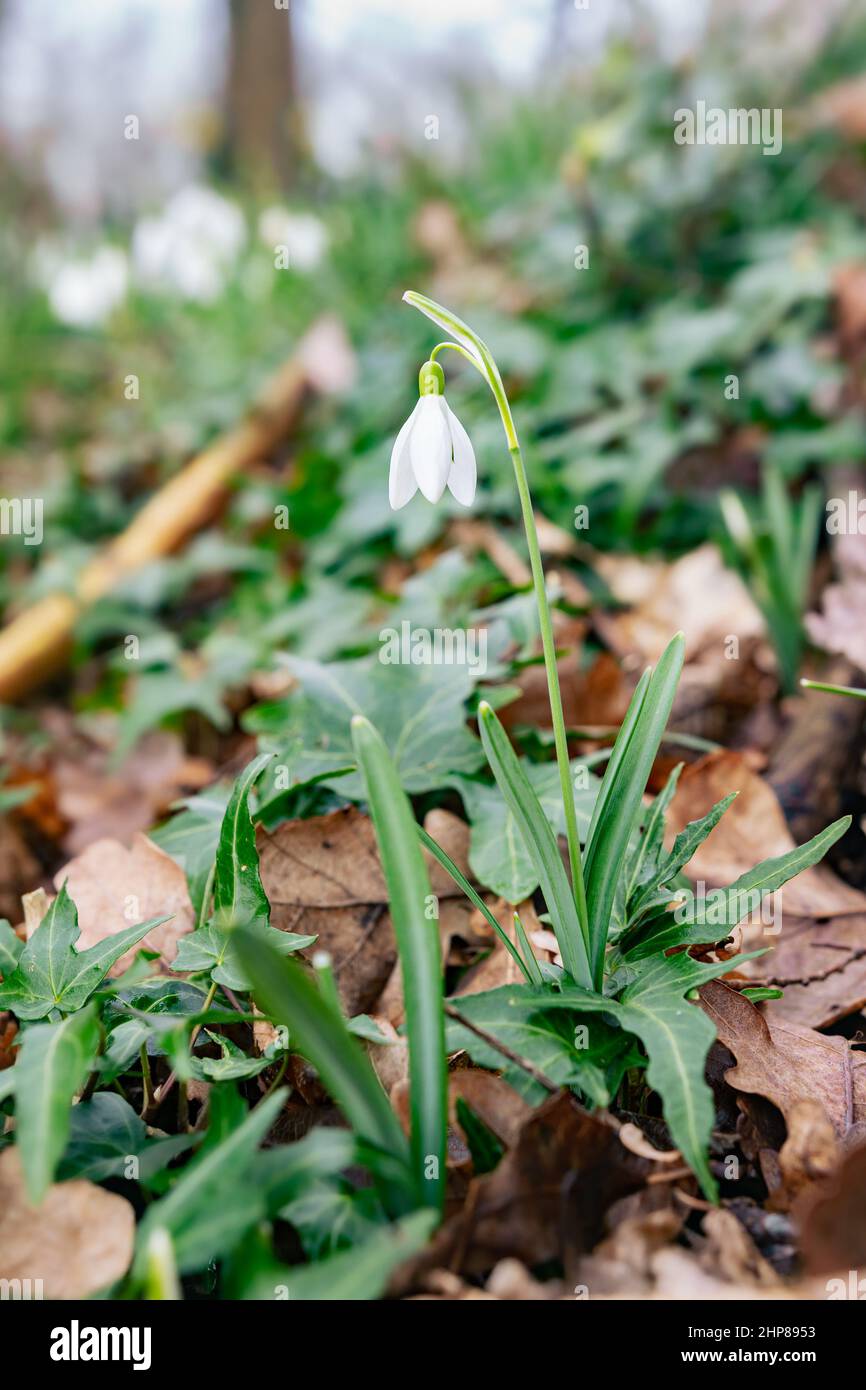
(263, 129)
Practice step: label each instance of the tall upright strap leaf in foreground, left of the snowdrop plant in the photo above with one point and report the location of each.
(418, 936)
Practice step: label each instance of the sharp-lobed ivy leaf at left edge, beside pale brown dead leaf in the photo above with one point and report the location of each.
(52, 976)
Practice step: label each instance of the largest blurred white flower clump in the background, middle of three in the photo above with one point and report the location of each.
(191, 247)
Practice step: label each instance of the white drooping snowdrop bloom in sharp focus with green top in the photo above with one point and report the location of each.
(433, 451)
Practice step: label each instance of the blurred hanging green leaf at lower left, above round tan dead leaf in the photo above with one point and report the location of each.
(52, 1068)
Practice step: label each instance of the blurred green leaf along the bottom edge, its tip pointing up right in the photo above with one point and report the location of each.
(359, 1274)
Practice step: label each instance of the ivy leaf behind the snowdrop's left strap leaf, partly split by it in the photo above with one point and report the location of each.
(498, 854)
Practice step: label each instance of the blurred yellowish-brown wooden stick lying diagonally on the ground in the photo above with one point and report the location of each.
(37, 643)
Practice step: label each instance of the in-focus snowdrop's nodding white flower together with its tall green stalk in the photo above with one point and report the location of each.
(425, 459)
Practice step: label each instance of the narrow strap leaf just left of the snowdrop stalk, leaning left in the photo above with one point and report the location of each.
(540, 842)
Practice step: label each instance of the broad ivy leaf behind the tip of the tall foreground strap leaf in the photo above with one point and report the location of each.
(418, 710)
